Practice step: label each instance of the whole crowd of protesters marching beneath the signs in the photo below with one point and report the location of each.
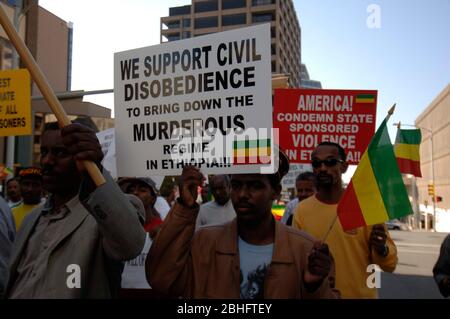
(63, 237)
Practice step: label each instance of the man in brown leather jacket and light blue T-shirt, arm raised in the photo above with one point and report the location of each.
(246, 258)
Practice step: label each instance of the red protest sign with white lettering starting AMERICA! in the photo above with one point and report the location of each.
(306, 118)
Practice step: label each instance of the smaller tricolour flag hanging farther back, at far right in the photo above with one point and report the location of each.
(406, 149)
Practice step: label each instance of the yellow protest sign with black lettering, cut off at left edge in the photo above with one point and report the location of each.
(15, 103)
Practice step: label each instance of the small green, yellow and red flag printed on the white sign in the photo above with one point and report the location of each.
(251, 152)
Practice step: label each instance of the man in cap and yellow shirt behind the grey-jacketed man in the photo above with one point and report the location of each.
(30, 182)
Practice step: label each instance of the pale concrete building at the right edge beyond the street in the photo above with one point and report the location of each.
(436, 117)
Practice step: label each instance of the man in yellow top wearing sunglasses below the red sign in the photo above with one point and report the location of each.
(354, 250)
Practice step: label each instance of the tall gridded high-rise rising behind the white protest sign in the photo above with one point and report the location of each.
(208, 16)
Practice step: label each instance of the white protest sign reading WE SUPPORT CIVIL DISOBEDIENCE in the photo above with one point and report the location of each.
(204, 101)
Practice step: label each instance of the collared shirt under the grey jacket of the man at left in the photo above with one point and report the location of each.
(33, 263)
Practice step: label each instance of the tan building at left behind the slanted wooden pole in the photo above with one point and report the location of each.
(49, 39)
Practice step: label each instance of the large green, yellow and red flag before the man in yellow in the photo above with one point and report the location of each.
(376, 192)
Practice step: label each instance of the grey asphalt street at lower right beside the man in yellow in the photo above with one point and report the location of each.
(413, 278)
